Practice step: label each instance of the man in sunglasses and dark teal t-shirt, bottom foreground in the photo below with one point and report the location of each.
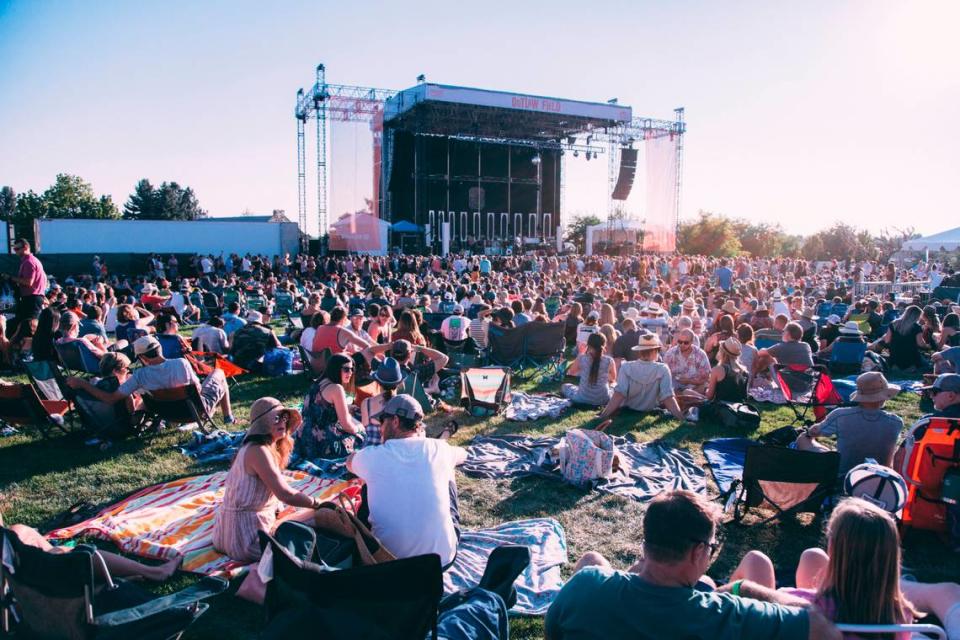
(667, 595)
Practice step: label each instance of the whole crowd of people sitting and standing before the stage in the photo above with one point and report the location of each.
(644, 333)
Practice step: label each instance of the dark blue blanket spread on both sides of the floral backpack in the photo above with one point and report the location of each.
(646, 469)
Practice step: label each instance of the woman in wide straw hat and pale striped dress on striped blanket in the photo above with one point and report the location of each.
(255, 483)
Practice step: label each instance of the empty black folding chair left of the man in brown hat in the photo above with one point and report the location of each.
(788, 480)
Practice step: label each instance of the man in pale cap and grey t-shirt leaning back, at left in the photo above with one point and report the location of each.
(158, 373)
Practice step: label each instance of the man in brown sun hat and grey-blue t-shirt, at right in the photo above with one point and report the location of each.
(864, 431)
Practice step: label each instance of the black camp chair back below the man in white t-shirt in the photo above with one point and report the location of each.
(303, 595)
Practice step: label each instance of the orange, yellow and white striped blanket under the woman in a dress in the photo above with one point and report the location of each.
(177, 517)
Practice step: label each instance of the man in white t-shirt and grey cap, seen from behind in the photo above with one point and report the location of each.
(410, 484)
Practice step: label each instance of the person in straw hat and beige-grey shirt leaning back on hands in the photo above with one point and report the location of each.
(644, 384)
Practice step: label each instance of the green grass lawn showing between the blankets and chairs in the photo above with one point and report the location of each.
(40, 479)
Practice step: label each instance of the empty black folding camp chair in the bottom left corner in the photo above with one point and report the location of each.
(73, 596)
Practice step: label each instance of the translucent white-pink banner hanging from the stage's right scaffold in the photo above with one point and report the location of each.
(661, 162)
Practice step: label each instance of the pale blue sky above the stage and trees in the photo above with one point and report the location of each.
(799, 113)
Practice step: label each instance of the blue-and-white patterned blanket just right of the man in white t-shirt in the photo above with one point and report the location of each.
(538, 585)
